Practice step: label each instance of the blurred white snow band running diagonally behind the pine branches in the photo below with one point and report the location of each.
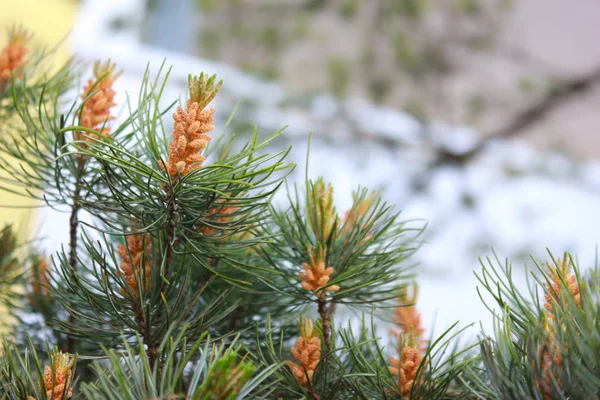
(514, 198)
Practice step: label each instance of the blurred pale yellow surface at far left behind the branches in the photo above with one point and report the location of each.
(49, 21)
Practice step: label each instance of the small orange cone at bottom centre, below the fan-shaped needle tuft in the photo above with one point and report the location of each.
(307, 352)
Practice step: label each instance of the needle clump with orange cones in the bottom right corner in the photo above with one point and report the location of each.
(541, 349)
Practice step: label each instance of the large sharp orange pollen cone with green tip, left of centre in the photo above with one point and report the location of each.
(191, 127)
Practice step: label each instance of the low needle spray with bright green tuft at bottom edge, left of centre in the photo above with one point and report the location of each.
(200, 370)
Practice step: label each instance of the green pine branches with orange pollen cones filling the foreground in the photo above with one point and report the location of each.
(190, 283)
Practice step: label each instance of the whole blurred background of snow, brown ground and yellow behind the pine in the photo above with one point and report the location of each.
(478, 117)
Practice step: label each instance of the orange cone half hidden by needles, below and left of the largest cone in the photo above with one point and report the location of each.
(132, 256)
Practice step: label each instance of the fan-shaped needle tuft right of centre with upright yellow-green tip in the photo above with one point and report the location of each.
(366, 246)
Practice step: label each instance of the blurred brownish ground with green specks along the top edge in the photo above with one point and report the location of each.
(391, 33)
